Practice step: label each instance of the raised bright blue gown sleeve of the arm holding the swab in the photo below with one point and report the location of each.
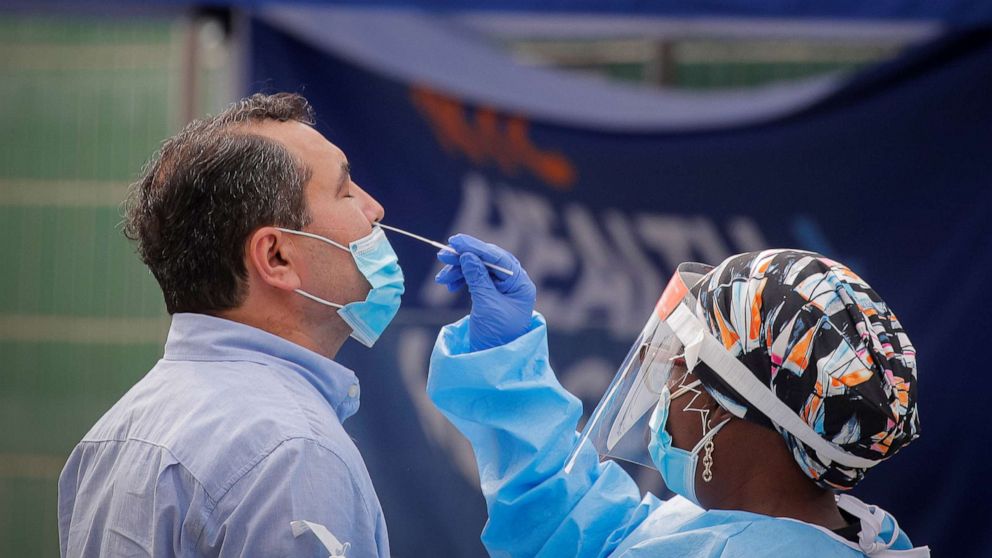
(521, 423)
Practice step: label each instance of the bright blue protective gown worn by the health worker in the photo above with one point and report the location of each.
(521, 423)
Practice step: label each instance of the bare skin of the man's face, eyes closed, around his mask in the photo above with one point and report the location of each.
(339, 210)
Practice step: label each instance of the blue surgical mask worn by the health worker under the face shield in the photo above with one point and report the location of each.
(677, 466)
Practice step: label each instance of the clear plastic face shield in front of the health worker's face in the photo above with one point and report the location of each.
(618, 427)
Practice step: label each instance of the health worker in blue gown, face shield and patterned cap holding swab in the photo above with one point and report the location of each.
(763, 390)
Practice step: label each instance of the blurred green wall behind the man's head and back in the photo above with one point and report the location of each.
(84, 101)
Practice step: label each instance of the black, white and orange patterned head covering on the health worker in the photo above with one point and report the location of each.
(826, 345)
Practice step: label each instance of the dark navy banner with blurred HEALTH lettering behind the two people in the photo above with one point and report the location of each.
(891, 175)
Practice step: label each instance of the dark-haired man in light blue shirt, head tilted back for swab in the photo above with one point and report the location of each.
(252, 226)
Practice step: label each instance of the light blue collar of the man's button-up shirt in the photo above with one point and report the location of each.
(199, 337)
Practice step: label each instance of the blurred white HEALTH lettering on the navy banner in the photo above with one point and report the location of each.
(593, 267)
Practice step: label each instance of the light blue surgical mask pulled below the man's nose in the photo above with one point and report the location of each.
(377, 261)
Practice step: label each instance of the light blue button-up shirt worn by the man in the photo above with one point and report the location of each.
(231, 436)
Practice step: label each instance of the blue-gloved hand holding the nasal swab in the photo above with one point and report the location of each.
(501, 304)
